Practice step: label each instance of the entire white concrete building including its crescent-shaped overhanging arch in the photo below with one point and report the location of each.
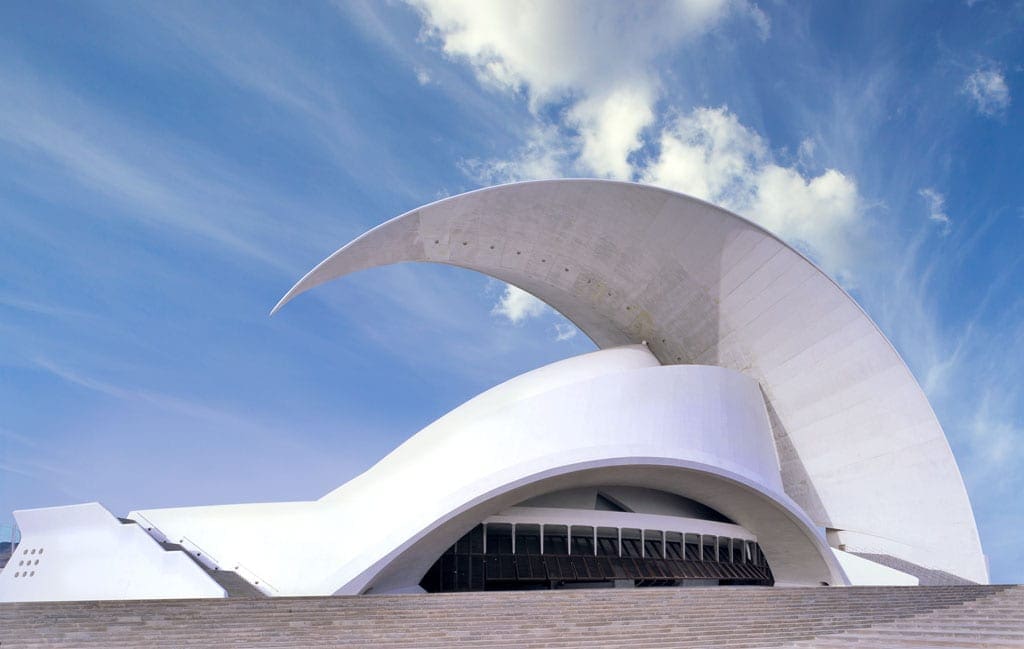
(744, 422)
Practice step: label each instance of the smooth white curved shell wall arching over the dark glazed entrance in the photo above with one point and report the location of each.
(613, 417)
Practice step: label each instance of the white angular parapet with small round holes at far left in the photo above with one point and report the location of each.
(83, 552)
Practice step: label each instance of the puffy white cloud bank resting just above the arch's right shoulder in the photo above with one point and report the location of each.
(709, 154)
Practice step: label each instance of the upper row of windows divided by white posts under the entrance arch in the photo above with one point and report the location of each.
(532, 539)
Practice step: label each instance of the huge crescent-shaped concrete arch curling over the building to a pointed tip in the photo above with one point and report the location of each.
(860, 448)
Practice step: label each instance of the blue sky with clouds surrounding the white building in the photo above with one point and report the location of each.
(168, 170)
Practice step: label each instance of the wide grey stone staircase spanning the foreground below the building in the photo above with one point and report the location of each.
(721, 618)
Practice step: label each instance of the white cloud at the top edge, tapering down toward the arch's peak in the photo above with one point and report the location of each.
(594, 58)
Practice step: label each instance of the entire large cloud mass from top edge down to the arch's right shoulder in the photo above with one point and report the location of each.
(589, 75)
